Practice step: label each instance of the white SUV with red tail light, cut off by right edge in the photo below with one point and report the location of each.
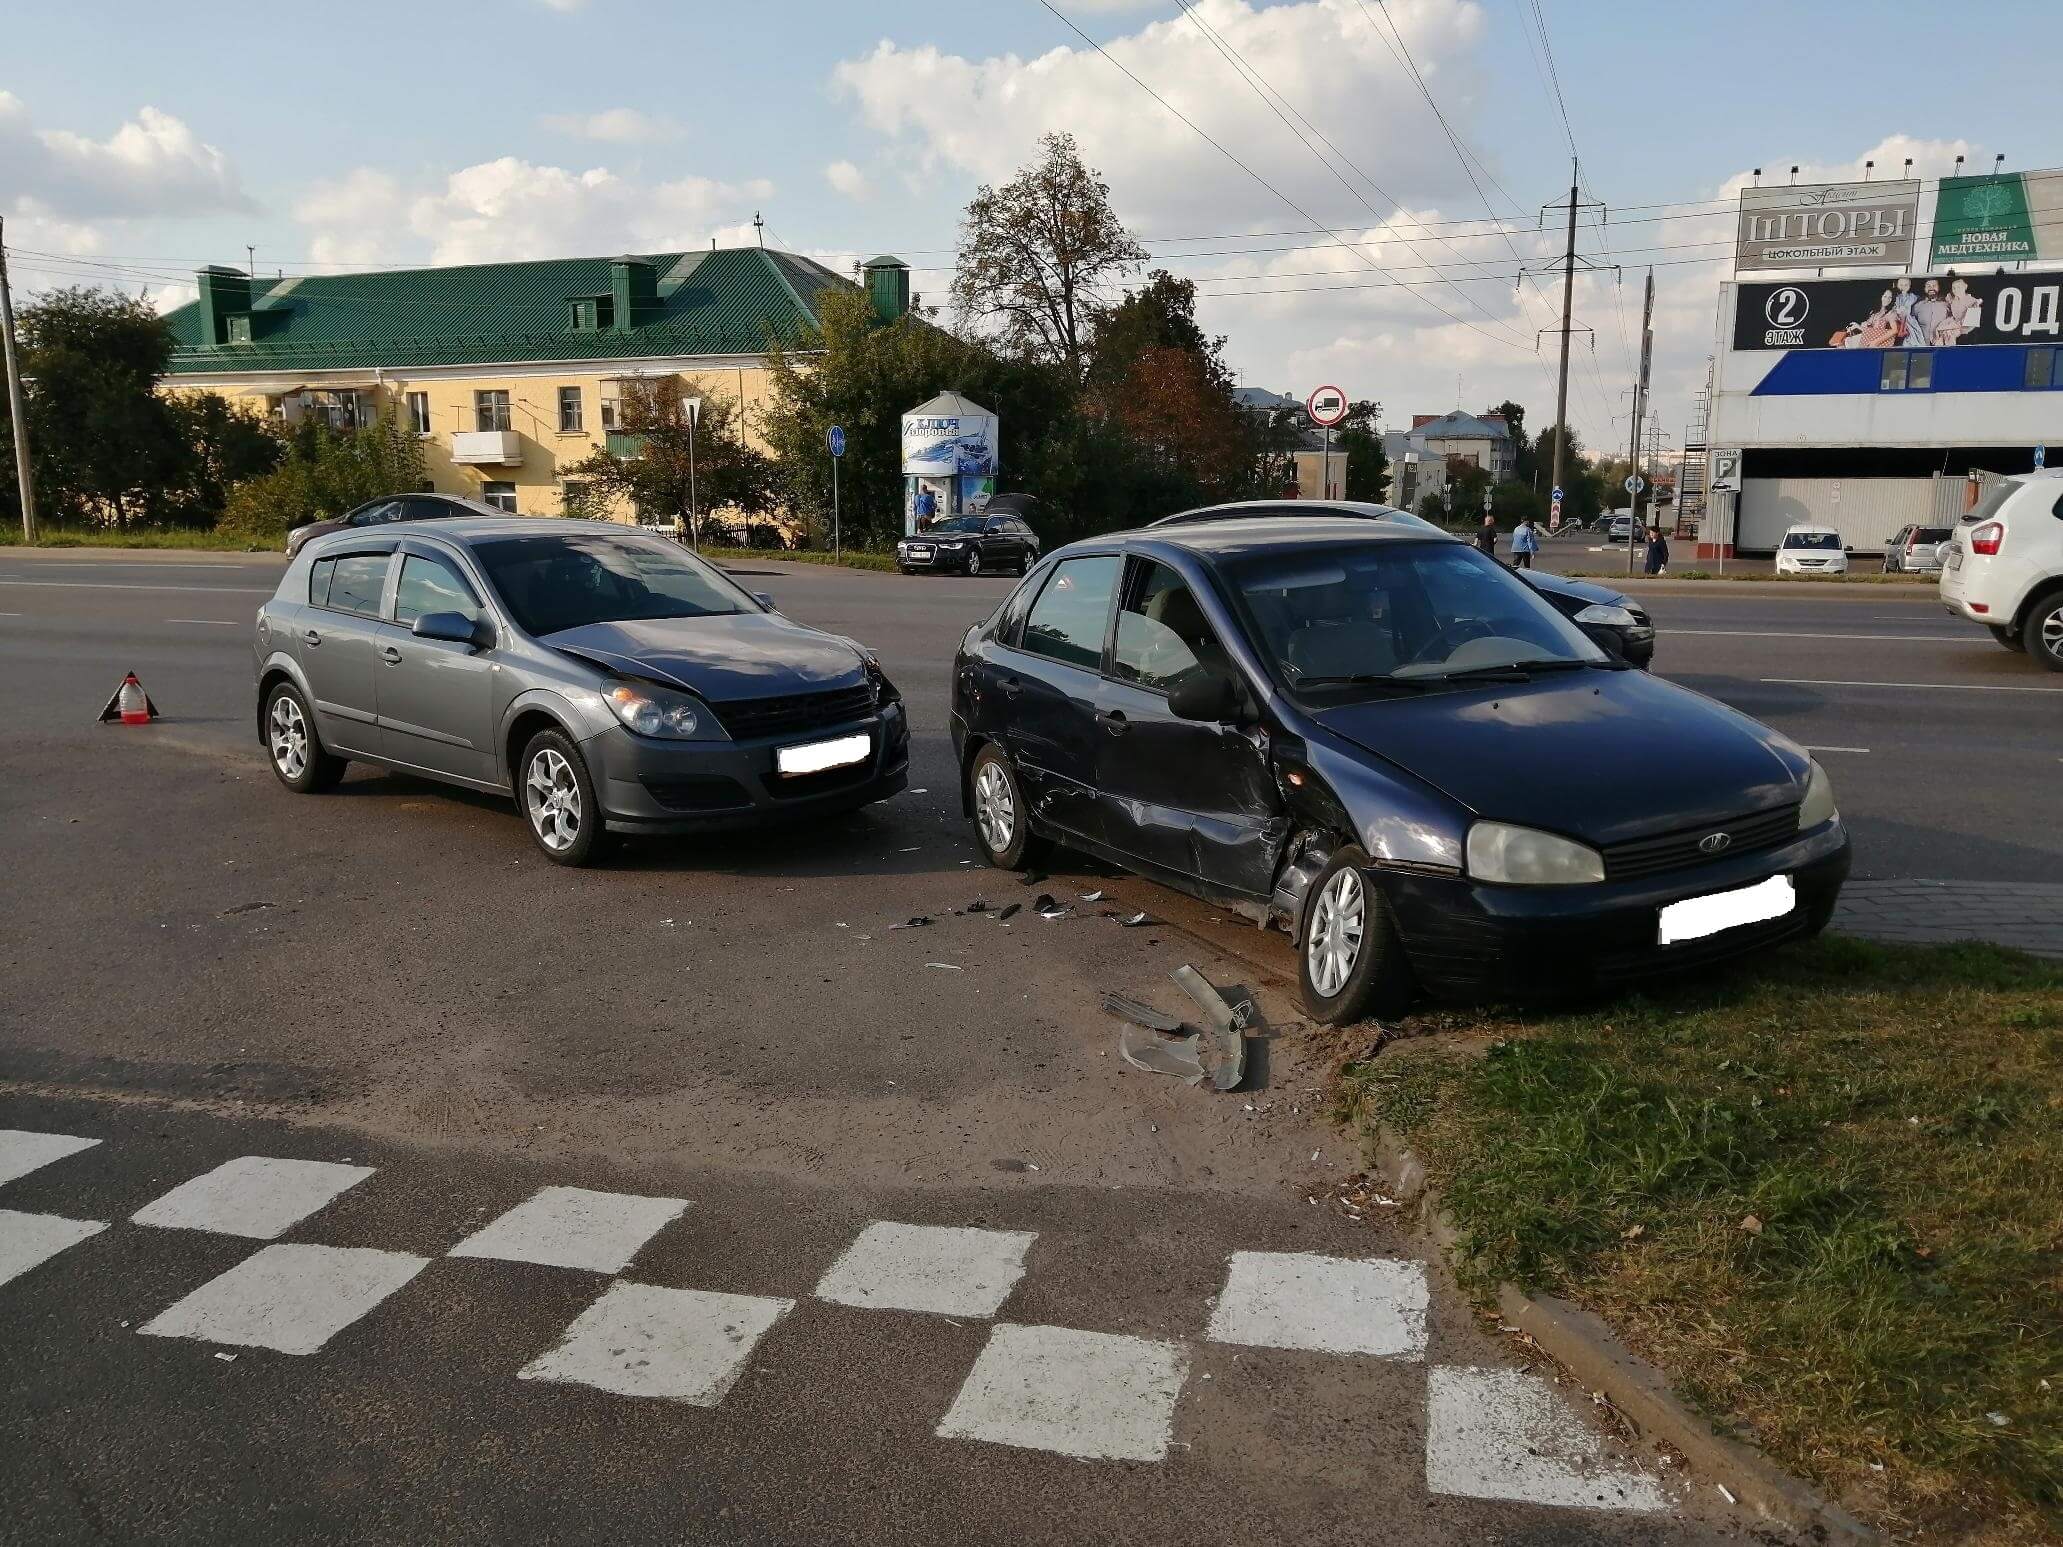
(2006, 566)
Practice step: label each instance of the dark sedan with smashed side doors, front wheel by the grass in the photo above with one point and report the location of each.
(1389, 744)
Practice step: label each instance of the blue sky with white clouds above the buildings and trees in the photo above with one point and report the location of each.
(434, 133)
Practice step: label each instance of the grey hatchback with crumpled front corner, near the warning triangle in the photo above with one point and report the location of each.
(608, 682)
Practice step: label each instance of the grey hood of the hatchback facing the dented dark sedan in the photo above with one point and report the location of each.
(721, 659)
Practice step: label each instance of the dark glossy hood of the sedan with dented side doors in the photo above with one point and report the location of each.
(1600, 754)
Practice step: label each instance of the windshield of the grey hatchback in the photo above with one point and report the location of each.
(564, 583)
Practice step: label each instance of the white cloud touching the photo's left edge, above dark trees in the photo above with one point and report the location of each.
(150, 166)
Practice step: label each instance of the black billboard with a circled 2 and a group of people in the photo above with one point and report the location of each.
(1909, 312)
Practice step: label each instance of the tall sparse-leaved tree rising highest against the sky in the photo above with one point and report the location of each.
(1039, 257)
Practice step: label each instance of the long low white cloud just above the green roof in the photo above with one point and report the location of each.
(513, 209)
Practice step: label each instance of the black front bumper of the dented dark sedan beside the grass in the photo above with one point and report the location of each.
(1526, 944)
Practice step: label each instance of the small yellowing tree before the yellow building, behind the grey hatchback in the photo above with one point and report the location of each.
(665, 469)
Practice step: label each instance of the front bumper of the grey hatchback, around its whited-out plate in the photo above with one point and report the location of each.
(659, 787)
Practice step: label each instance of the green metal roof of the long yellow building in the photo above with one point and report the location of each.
(711, 304)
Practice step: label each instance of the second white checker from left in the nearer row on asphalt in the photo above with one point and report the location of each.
(288, 1298)
